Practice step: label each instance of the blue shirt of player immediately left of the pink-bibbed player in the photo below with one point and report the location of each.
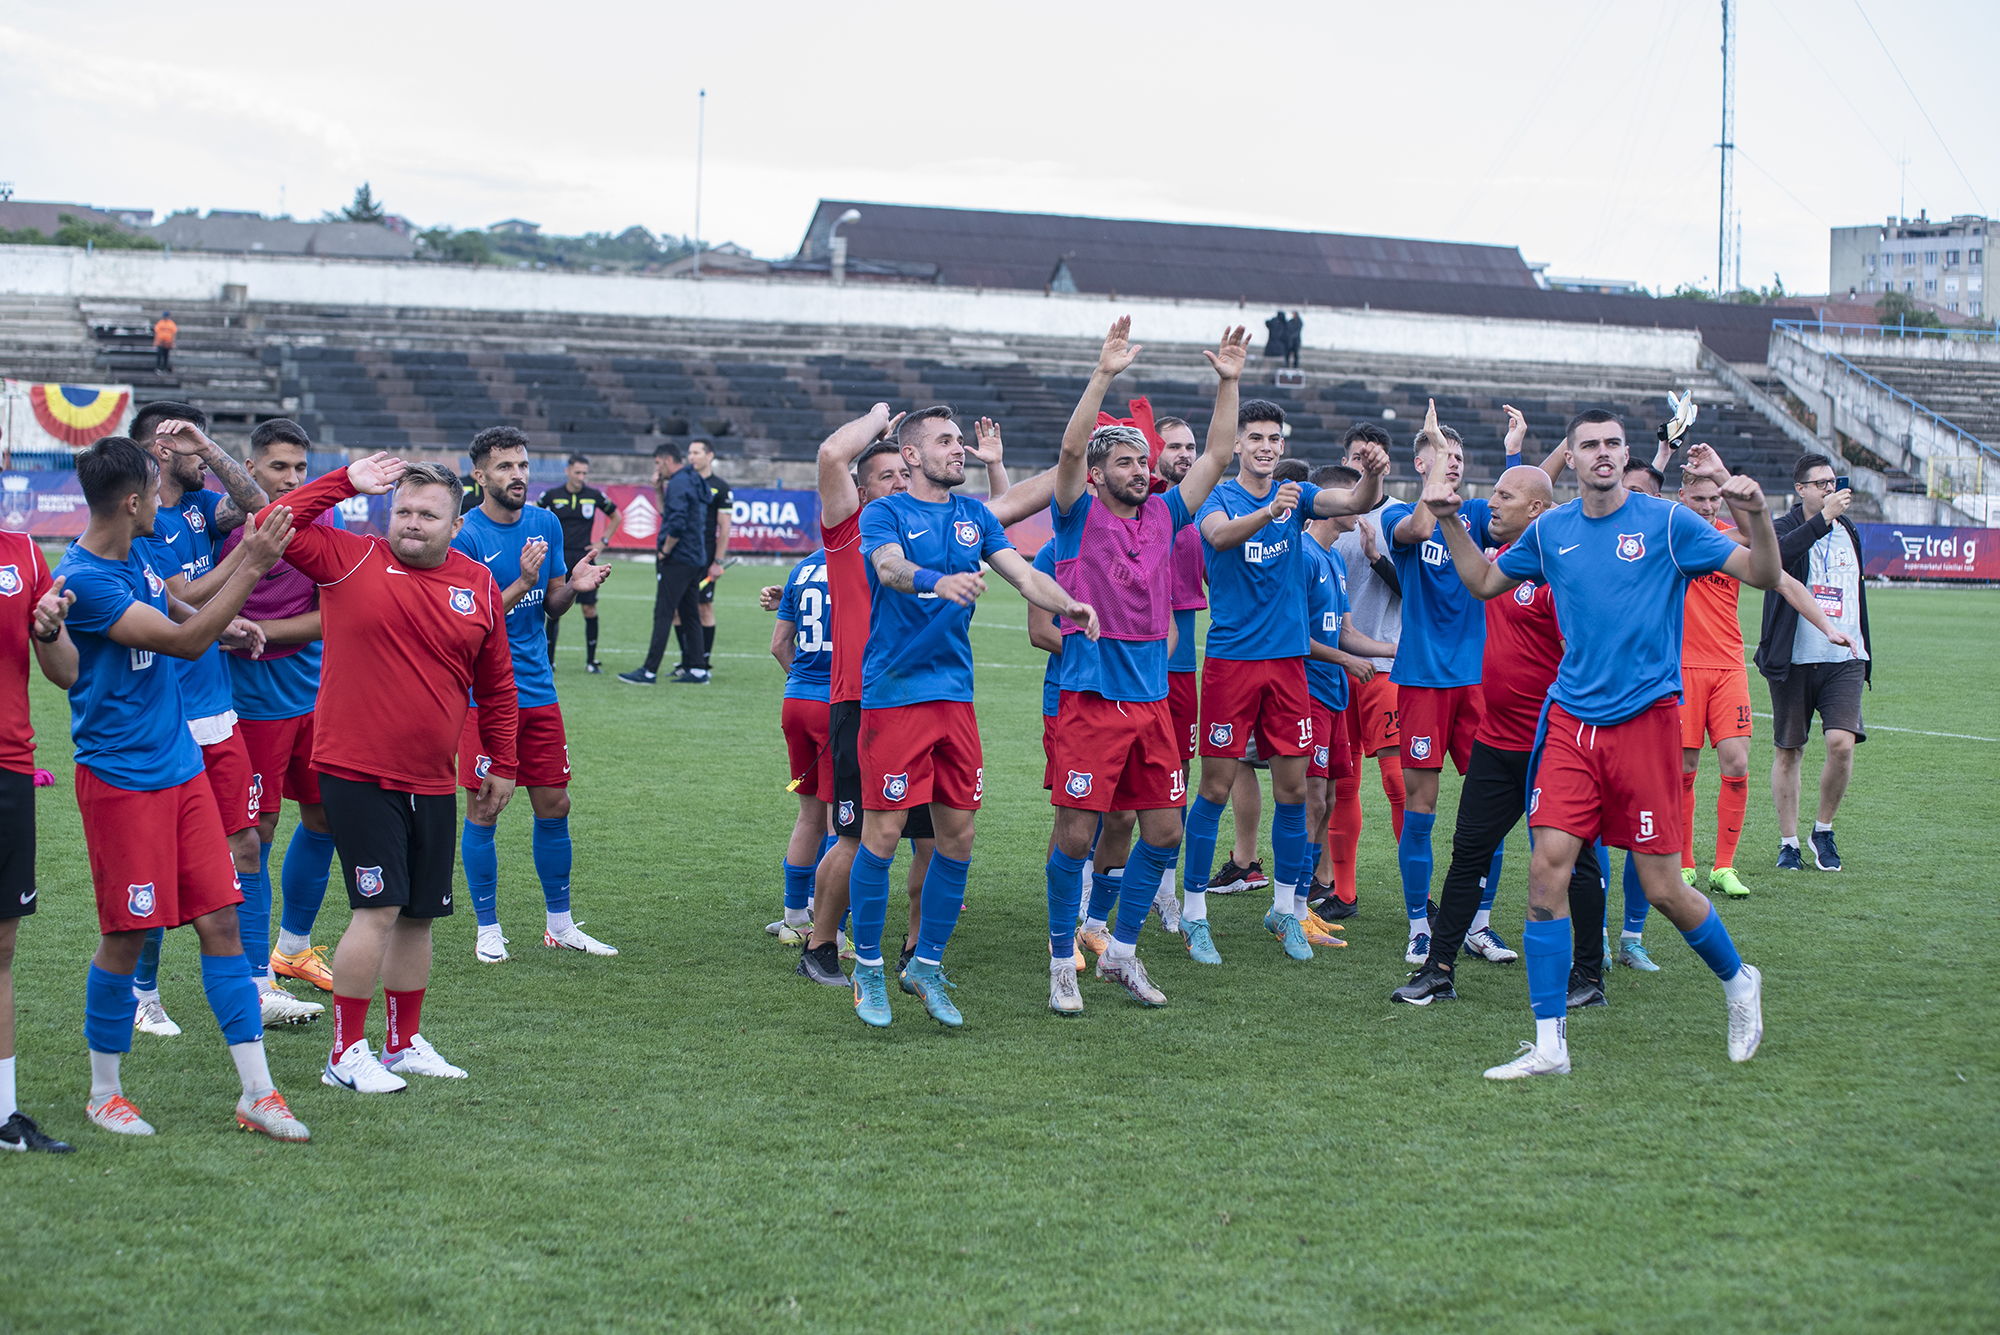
(903, 665)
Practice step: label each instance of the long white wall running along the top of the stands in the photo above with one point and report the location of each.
(161, 279)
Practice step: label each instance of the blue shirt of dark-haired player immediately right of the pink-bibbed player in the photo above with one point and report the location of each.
(1257, 593)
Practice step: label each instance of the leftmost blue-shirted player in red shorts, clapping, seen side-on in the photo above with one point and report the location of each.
(157, 848)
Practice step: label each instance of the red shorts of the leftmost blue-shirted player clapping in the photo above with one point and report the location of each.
(157, 860)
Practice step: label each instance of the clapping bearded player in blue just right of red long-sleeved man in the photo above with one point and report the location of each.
(513, 541)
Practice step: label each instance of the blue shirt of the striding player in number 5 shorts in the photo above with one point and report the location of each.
(1621, 587)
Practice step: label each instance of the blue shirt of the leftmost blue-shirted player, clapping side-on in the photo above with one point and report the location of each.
(125, 710)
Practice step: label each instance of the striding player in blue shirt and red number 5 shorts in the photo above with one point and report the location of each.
(1619, 565)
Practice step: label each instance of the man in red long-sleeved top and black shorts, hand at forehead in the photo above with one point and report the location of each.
(413, 631)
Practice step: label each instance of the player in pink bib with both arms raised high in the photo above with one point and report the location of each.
(1115, 746)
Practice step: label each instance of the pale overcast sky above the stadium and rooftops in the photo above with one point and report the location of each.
(1579, 133)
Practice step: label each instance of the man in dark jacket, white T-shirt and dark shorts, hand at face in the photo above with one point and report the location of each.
(1807, 672)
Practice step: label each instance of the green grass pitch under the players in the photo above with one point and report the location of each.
(693, 1138)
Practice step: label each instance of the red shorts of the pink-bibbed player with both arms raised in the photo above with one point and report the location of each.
(1117, 756)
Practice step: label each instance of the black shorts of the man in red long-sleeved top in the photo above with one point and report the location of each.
(397, 850)
